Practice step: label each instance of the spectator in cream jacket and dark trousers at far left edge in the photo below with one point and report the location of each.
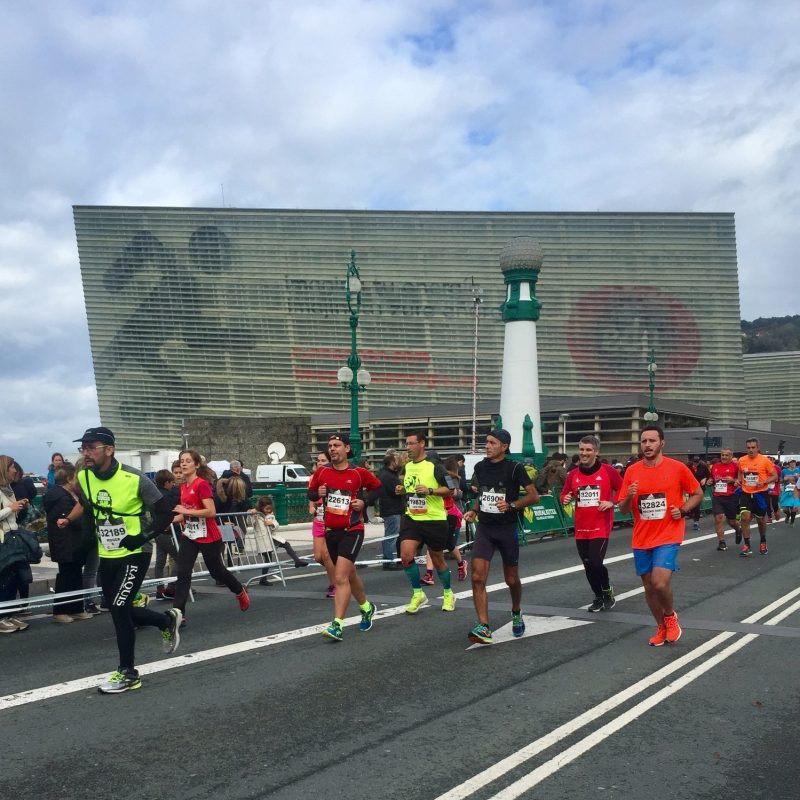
(15, 572)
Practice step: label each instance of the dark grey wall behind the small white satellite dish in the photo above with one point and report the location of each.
(247, 438)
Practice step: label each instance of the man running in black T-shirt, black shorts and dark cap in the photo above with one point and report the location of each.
(498, 481)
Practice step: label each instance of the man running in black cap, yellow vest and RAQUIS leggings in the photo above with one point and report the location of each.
(114, 497)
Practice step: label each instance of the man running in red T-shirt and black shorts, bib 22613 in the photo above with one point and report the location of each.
(339, 485)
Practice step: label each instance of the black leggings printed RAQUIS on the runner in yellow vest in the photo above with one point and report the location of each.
(121, 579)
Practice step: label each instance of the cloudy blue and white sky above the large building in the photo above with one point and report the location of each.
(521, 105)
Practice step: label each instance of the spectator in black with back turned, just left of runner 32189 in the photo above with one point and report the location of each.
(68, 548)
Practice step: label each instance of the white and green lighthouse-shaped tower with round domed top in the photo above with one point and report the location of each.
(520, 261)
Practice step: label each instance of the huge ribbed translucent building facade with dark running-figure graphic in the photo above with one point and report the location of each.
(241, 312)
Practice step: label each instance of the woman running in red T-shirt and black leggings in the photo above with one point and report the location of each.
(200, 533)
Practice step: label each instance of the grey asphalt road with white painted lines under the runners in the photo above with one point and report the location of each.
(259, 704)
